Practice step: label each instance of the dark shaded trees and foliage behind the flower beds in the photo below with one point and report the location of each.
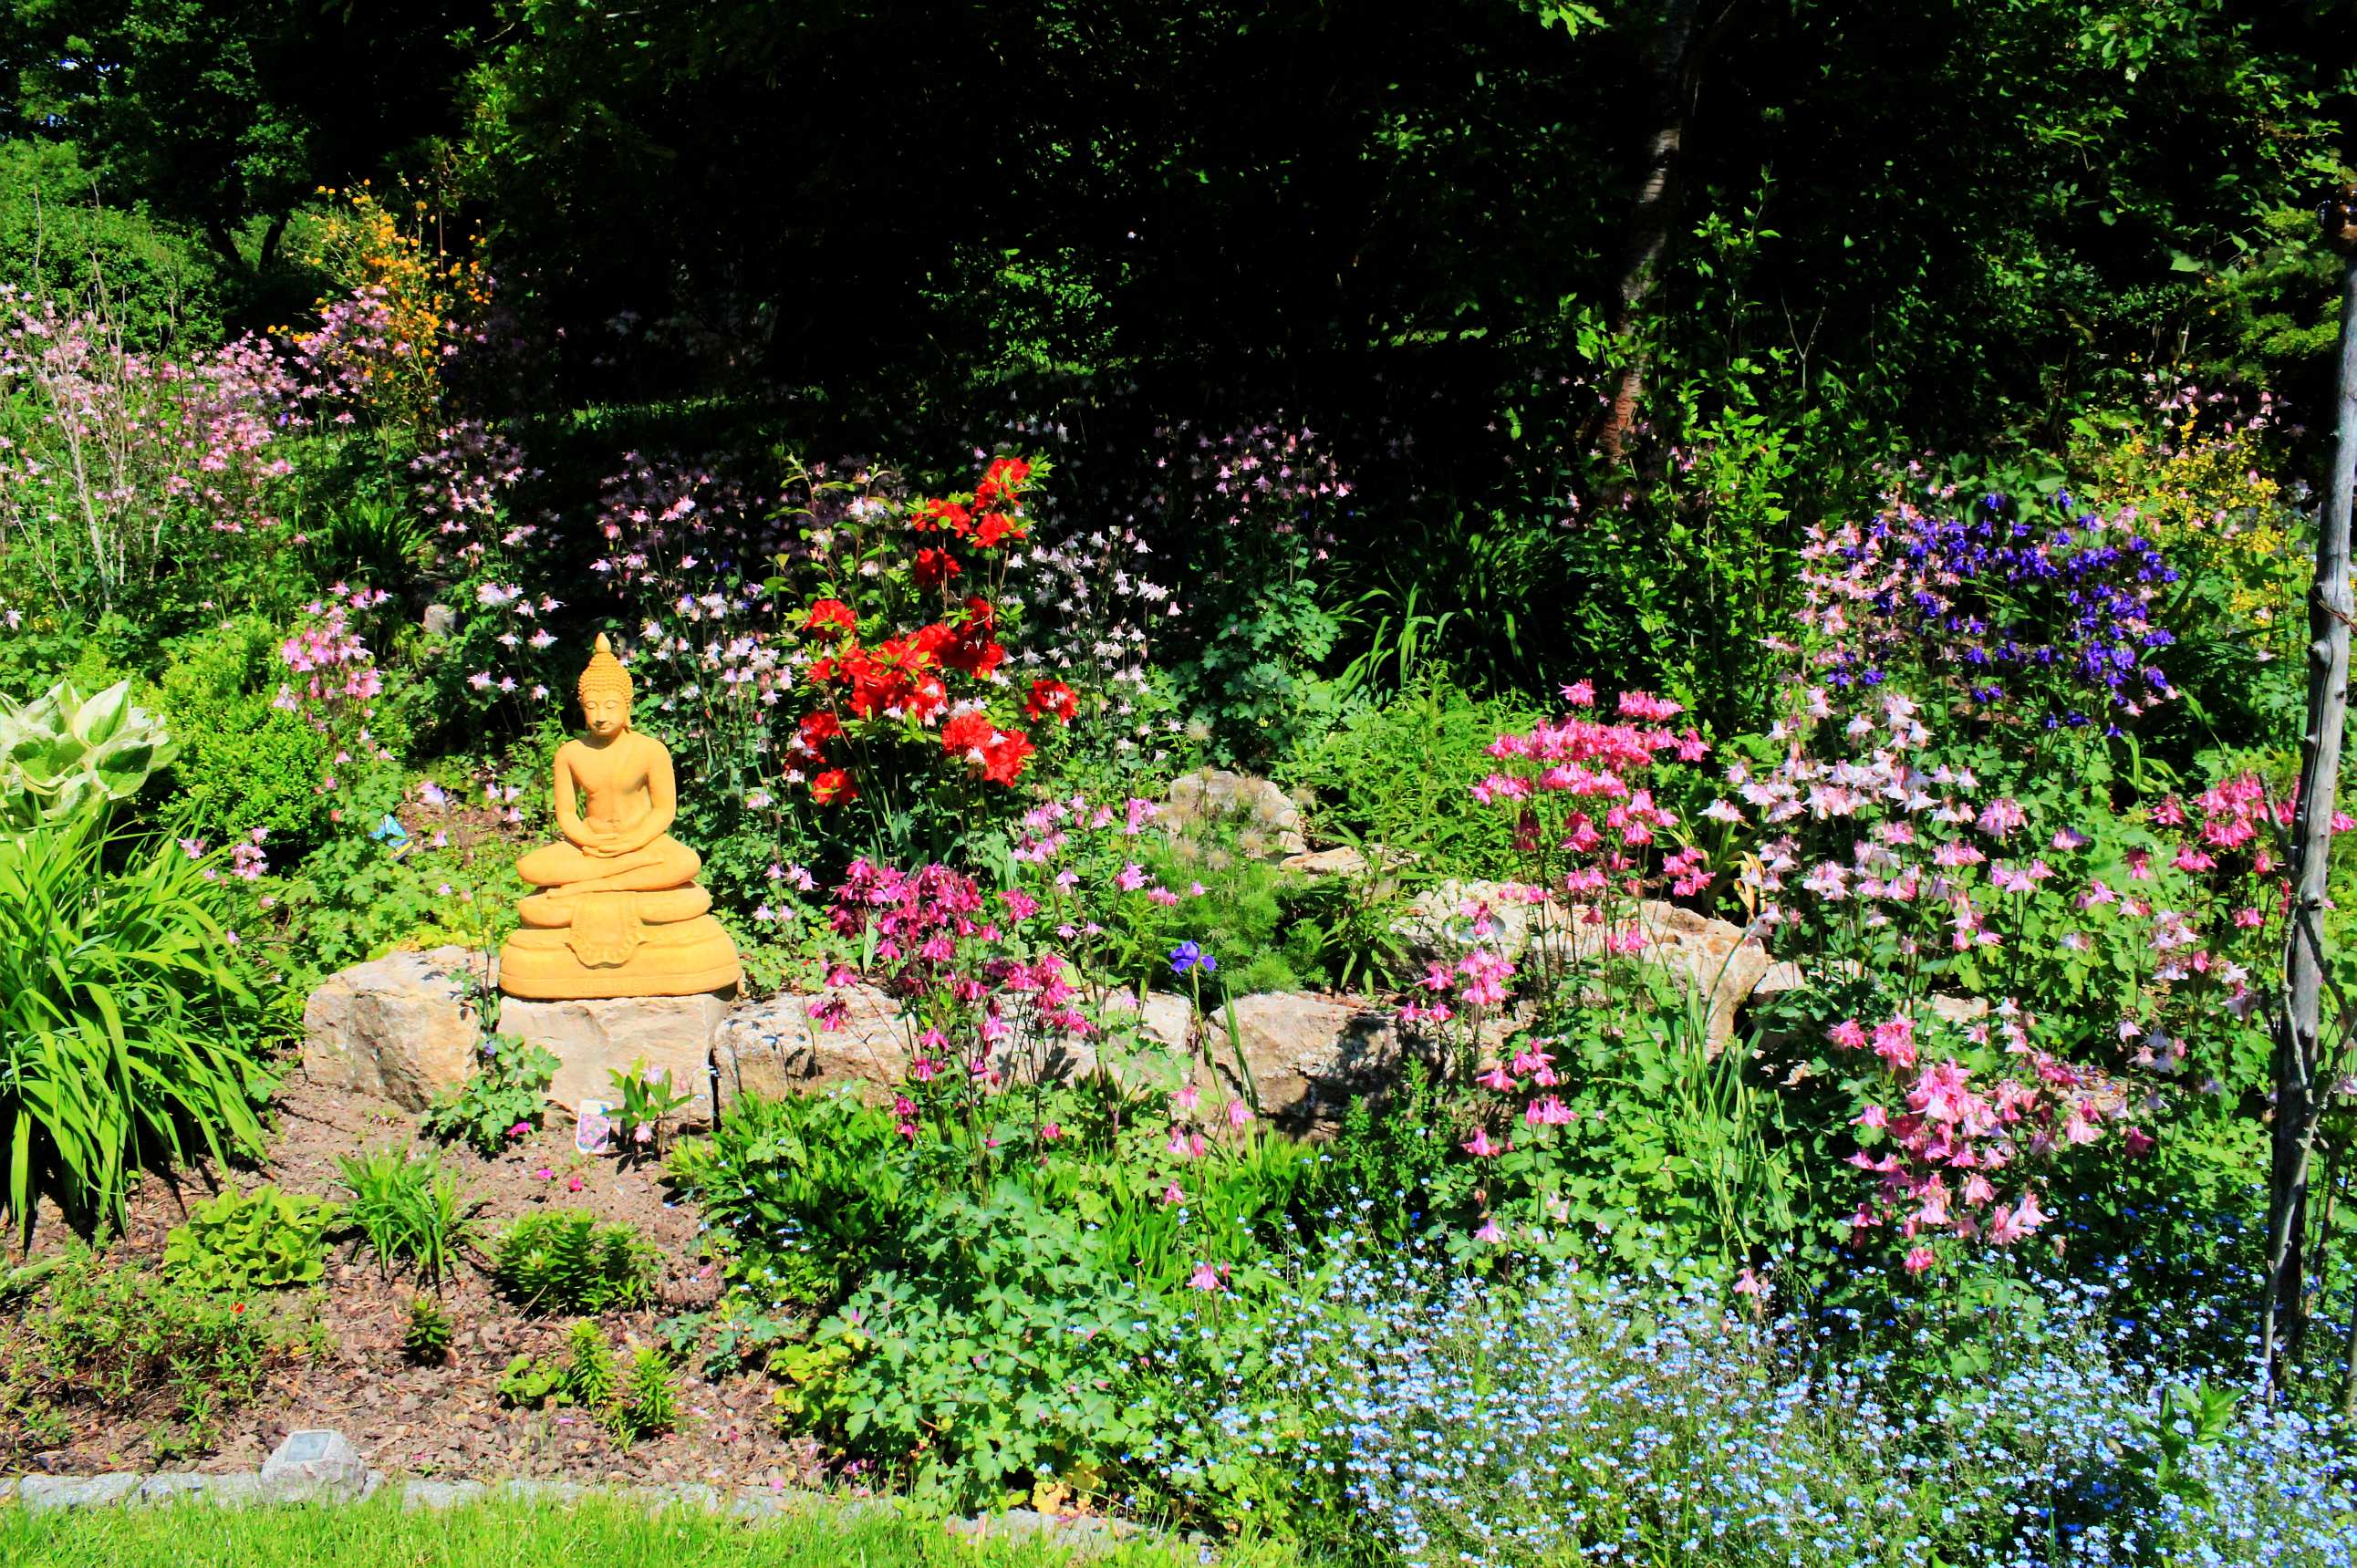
(1934, 230)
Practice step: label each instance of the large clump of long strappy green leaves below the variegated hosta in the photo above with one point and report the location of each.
(128, 1029)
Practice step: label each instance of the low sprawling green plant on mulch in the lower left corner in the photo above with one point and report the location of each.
(128, 1345)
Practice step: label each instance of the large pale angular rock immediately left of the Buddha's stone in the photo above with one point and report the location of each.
(397, 1029)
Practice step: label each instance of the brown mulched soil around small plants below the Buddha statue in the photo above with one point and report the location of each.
(447, 1421)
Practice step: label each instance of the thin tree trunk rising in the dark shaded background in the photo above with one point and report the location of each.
(1672, 65)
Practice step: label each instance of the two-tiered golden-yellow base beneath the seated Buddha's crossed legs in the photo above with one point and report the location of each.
(619, 947)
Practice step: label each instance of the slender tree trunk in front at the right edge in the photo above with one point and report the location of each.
(2297, 1102)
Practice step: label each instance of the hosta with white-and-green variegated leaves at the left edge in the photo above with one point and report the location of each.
(65, 753)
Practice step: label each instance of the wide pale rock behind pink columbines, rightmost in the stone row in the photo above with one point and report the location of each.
(1705, 956)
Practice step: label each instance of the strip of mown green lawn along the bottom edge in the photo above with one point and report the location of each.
(602, 1534)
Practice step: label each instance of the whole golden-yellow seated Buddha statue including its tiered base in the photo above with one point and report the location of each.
(616, 911)
